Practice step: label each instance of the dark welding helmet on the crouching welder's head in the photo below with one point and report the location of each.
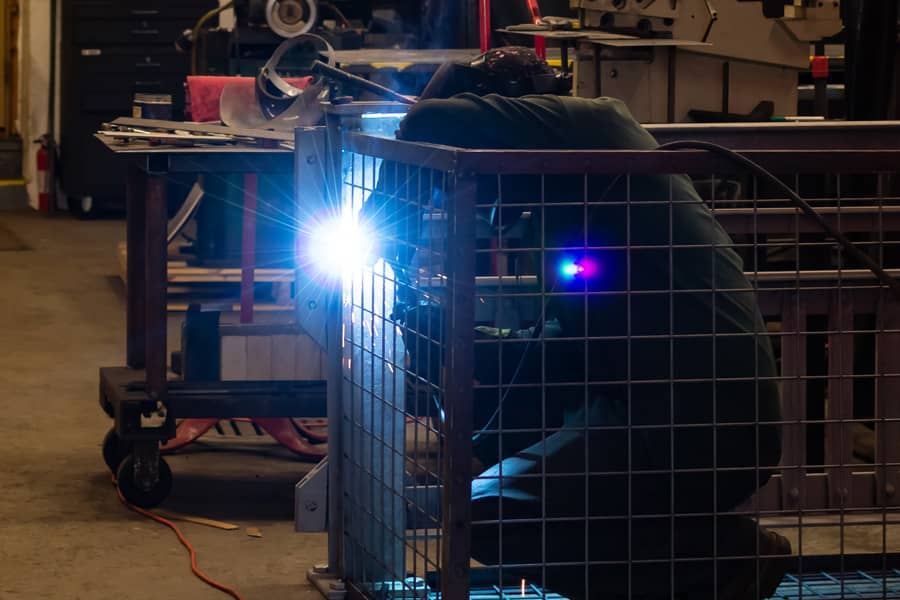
(510, 71)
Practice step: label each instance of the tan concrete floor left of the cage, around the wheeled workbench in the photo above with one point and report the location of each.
(64, 533)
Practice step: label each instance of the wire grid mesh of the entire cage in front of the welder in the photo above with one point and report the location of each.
(640, 368)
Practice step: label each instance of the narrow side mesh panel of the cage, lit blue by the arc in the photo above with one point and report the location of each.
(406, 377)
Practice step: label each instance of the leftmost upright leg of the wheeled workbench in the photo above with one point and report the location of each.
(135, 196)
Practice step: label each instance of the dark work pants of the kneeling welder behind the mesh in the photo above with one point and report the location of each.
(583, 496)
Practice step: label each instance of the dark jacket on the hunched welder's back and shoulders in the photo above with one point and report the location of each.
(675, 337)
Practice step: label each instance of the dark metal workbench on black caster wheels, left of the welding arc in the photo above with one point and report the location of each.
(141, 398)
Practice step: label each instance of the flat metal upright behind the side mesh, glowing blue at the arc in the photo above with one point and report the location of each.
(374, 417)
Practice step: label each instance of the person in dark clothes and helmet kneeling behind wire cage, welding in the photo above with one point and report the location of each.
(635, 472)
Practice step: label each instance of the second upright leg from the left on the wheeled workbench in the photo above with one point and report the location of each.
(155, 270)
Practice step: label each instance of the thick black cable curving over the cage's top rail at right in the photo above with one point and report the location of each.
(847, 245)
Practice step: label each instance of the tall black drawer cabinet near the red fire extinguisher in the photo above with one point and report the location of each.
(110, 50)
